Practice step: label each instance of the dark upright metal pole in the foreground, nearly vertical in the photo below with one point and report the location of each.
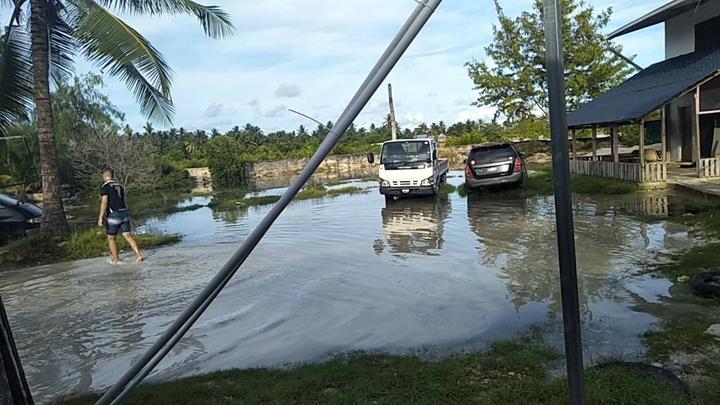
(563, 201)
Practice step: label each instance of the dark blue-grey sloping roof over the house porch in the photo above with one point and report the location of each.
(647, 91)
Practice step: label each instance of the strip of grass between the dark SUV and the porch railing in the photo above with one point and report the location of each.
(541, 183)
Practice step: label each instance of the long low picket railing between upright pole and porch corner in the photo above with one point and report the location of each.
(650, 173)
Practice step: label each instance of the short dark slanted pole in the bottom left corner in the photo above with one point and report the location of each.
(14, 389)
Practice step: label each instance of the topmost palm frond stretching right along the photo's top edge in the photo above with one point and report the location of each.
(215, 21)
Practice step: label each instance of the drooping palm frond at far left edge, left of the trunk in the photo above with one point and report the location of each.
(16, 80)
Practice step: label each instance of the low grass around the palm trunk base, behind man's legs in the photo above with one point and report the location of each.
(43, 249)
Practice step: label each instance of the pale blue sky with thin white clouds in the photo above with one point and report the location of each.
(311, 55)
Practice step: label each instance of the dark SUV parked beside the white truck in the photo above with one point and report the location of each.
(494, 164)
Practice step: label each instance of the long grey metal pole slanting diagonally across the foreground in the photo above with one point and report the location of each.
(154, 355)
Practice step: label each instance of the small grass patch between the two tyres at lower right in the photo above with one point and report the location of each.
(686, 337)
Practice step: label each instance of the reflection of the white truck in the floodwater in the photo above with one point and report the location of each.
(413, 226)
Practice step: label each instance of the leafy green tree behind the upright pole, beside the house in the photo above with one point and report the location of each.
(513, 79)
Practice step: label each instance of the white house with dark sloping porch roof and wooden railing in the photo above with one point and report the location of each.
(679, 95)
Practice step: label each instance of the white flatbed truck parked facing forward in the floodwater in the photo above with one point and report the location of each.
(410, 167)
